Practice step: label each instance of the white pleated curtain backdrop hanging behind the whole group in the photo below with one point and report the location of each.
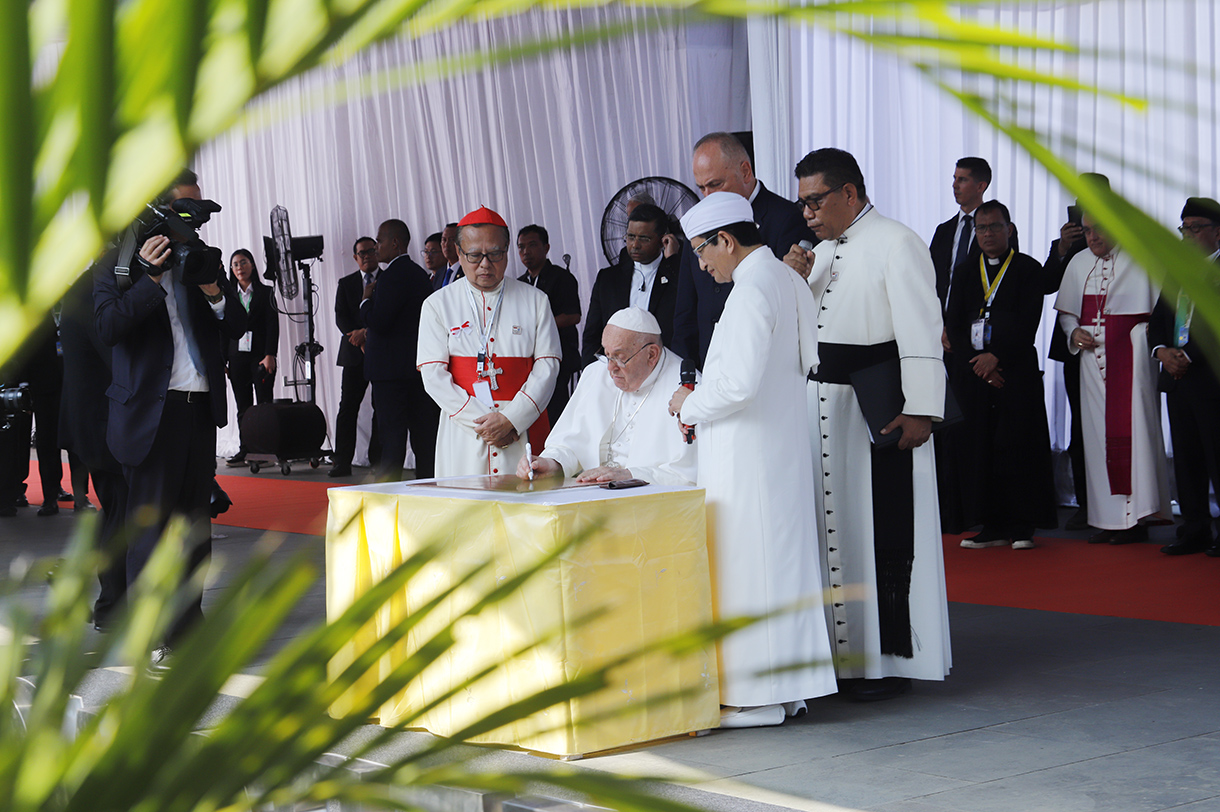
(551, 140)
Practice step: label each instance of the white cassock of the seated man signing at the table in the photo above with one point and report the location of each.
(634, 429)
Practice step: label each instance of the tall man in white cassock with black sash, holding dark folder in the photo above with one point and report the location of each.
(878, 509)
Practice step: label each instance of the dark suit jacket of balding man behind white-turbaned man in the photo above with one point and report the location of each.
(701, 299)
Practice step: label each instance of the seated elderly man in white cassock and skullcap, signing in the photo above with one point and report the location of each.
(618, 424)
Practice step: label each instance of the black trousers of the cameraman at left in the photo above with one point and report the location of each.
(175, 480)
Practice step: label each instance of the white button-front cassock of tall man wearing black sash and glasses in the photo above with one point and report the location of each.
(877, 285)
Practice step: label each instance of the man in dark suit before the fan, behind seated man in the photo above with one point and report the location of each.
(641, 279)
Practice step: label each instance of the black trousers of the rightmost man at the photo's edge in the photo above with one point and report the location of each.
(1193, 426)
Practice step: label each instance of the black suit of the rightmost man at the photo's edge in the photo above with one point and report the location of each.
(1194, 404)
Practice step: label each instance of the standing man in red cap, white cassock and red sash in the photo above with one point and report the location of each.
(490, 357)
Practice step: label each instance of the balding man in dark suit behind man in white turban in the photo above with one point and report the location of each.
(722, 164)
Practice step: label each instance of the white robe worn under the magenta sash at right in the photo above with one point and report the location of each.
(1127, 293)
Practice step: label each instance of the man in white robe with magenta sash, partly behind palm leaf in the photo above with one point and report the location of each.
(1105, 305)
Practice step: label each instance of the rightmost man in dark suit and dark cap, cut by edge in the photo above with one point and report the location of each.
(1193, 391)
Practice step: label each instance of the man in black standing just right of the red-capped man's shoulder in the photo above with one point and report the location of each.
(564, 294)
